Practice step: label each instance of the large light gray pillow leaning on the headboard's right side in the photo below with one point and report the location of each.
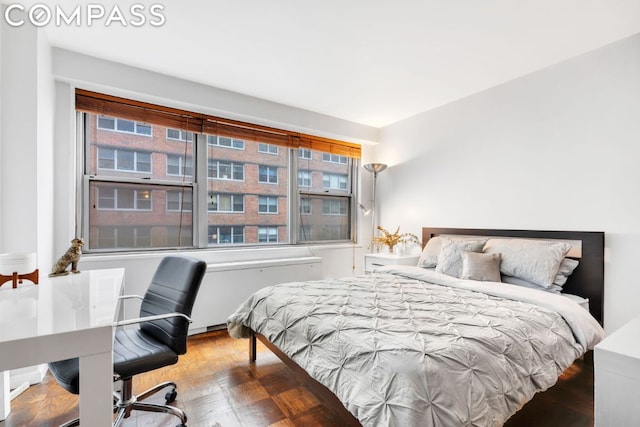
(532, 260)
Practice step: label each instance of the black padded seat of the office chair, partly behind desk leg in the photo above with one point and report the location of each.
(134, 352)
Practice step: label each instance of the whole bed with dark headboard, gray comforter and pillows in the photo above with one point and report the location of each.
(411, 346)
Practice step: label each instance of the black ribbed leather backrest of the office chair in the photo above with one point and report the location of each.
(173, 288)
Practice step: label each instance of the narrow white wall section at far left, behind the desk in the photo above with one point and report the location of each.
(26, 169)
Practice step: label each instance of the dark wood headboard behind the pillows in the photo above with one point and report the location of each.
(587, 280)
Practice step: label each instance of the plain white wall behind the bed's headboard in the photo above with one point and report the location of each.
(557, 149)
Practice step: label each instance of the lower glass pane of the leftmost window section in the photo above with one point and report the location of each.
(131, 216)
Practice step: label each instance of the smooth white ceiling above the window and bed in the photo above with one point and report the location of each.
(369, 61)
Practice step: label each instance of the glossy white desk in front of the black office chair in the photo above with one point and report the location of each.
(65, 317)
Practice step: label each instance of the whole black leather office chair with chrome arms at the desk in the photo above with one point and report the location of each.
(161, 337)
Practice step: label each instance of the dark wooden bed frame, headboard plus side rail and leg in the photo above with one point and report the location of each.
(587, 281)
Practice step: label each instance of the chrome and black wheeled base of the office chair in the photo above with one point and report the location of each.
(125, 402)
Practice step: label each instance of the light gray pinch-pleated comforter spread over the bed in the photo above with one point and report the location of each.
(410, 347)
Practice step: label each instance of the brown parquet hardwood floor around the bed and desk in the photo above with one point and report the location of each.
(218, 387)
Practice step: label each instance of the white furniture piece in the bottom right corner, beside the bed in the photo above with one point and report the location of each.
(617, 377)
